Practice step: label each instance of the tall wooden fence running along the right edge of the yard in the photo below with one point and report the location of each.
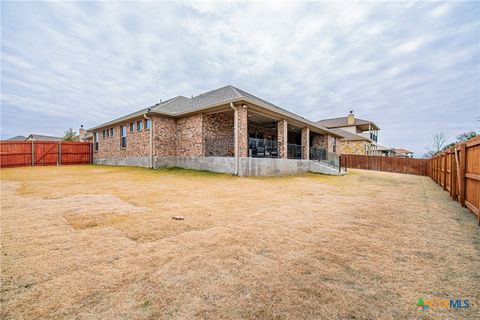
(457, 170)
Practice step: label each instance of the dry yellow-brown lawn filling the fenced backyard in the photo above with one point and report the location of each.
(91, 242)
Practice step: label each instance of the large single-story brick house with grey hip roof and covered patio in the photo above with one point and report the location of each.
(224, 130)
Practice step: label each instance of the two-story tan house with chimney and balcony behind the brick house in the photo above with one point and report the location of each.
(358, 136)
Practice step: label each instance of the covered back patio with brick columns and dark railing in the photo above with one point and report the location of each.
(262, 135)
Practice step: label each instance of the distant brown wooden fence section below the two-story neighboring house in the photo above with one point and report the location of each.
(389, 164)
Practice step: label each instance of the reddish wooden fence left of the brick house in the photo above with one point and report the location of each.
(44, 153)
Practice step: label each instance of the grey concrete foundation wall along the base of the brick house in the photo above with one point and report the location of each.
(247, 166)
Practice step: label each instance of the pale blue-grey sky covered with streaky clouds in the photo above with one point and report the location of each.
(412, 67)
